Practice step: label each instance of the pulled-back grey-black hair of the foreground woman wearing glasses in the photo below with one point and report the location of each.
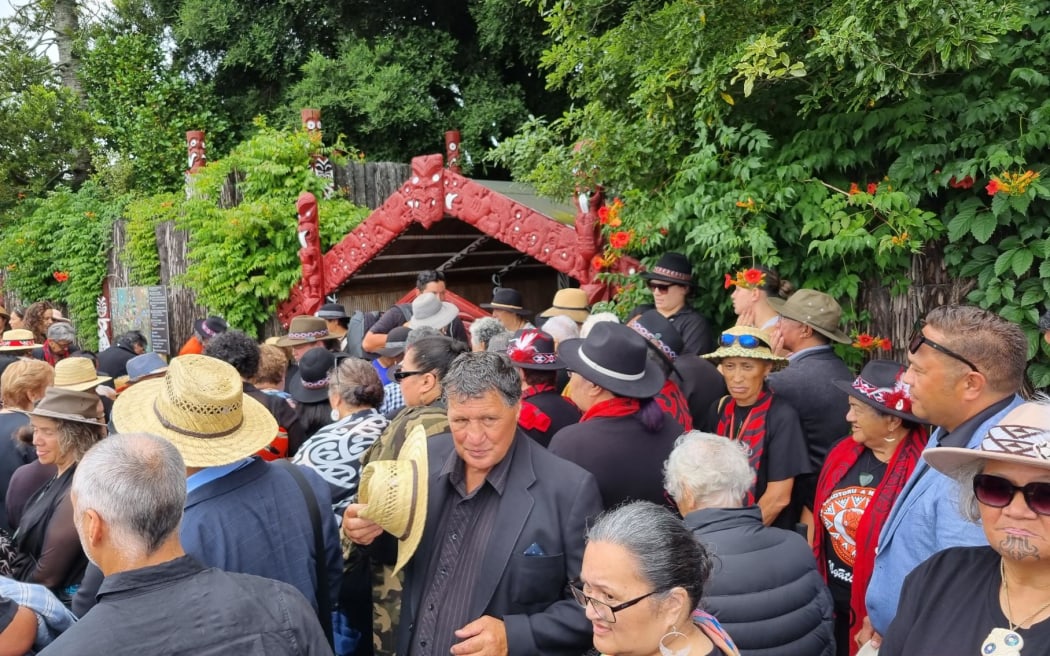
(665, 552)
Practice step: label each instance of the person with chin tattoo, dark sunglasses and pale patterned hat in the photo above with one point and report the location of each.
(995, 600)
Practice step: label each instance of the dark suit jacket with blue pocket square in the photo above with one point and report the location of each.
(549, 502)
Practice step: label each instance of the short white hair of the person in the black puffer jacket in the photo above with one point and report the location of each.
(715, 470)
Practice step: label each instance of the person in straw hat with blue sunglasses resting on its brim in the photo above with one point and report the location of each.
(752, 414)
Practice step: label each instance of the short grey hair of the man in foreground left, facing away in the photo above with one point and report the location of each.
(137, 483)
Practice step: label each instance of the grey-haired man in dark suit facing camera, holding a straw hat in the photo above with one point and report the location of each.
(505, 532)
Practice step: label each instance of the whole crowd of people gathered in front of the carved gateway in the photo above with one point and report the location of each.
(551, 483)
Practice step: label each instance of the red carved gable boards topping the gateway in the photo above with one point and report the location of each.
(434, 194)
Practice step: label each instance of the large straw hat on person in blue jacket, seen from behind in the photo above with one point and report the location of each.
(200, 407)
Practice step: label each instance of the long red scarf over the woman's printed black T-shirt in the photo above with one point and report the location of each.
(841, 459)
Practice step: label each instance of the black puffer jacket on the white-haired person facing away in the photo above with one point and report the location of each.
(764, 588)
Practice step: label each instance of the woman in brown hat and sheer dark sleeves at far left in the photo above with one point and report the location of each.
(47, 549)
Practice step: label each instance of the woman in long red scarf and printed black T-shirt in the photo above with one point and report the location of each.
(860, 480)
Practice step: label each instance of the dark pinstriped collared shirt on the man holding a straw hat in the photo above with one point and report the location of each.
(466, 526)
